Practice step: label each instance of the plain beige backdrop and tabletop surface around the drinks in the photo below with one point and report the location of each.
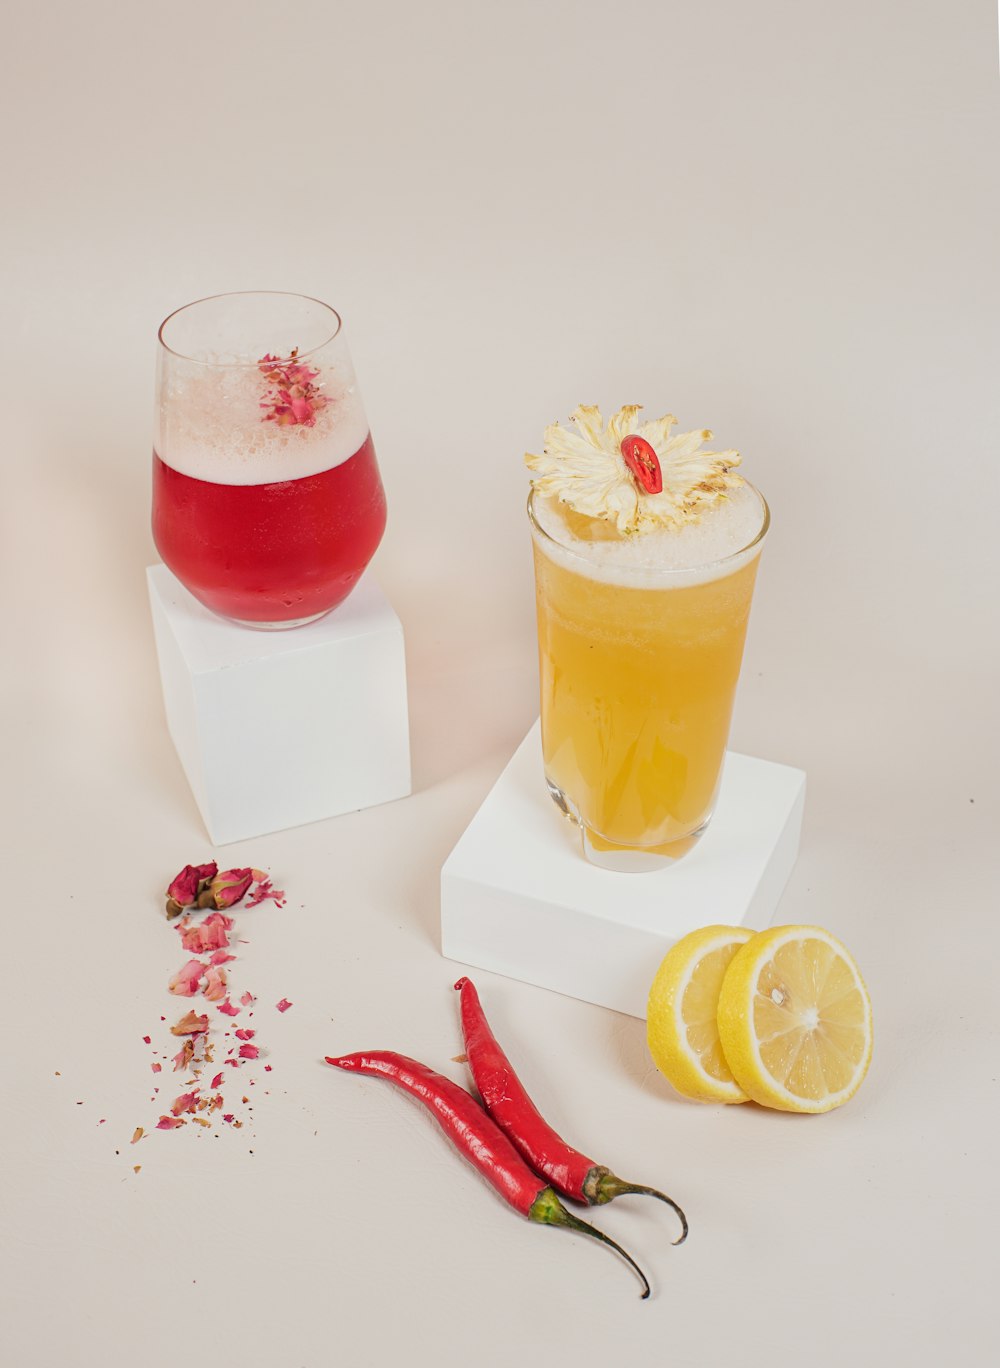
(778, 220)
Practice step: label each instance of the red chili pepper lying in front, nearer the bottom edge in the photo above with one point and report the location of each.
(479, 1140)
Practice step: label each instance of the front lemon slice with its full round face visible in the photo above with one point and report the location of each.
(795, 1020)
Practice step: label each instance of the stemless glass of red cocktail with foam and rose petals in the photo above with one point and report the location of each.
(267, 499)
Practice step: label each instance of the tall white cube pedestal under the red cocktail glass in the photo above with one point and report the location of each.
(281, 728)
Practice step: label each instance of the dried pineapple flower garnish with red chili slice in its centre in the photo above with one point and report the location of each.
(631, 474)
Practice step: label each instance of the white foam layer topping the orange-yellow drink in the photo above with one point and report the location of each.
(719, 544)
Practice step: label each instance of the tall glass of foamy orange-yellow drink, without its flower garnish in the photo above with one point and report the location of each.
(641, 641)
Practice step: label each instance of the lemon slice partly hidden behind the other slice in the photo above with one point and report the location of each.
(681, 1020)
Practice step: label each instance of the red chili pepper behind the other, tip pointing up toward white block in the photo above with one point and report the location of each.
(505, 1098)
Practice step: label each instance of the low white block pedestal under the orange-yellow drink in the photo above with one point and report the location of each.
(519, 898)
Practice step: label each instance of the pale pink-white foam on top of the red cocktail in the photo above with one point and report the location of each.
(211, 426)
